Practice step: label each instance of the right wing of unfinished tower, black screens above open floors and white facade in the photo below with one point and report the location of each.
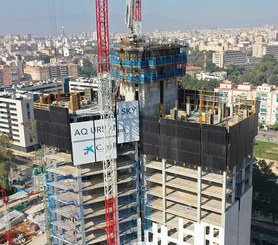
(197, 189)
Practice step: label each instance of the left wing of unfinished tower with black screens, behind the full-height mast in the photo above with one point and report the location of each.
(76, 190)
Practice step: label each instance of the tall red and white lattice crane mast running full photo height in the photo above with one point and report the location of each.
(107, 117)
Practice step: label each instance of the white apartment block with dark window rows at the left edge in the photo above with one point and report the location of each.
(15, 111)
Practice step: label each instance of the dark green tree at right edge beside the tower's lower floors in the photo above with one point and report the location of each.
(265, 197)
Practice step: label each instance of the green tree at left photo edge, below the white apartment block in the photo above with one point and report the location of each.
(6, 155)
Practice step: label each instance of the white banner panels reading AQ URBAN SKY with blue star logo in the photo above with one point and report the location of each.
(87, 137)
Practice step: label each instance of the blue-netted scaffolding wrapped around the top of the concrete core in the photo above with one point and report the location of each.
(140, 62)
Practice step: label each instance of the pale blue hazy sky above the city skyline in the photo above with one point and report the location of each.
(32, 16)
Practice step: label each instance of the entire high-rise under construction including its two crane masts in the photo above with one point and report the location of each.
(148, 162)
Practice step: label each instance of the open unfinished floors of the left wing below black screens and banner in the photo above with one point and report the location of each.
(76, 200)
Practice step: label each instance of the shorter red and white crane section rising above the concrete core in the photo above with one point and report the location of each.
(134, 16)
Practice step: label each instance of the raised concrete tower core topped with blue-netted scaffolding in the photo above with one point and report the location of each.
(148, 71)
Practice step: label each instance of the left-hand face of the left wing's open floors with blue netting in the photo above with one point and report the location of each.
(64, 205)
